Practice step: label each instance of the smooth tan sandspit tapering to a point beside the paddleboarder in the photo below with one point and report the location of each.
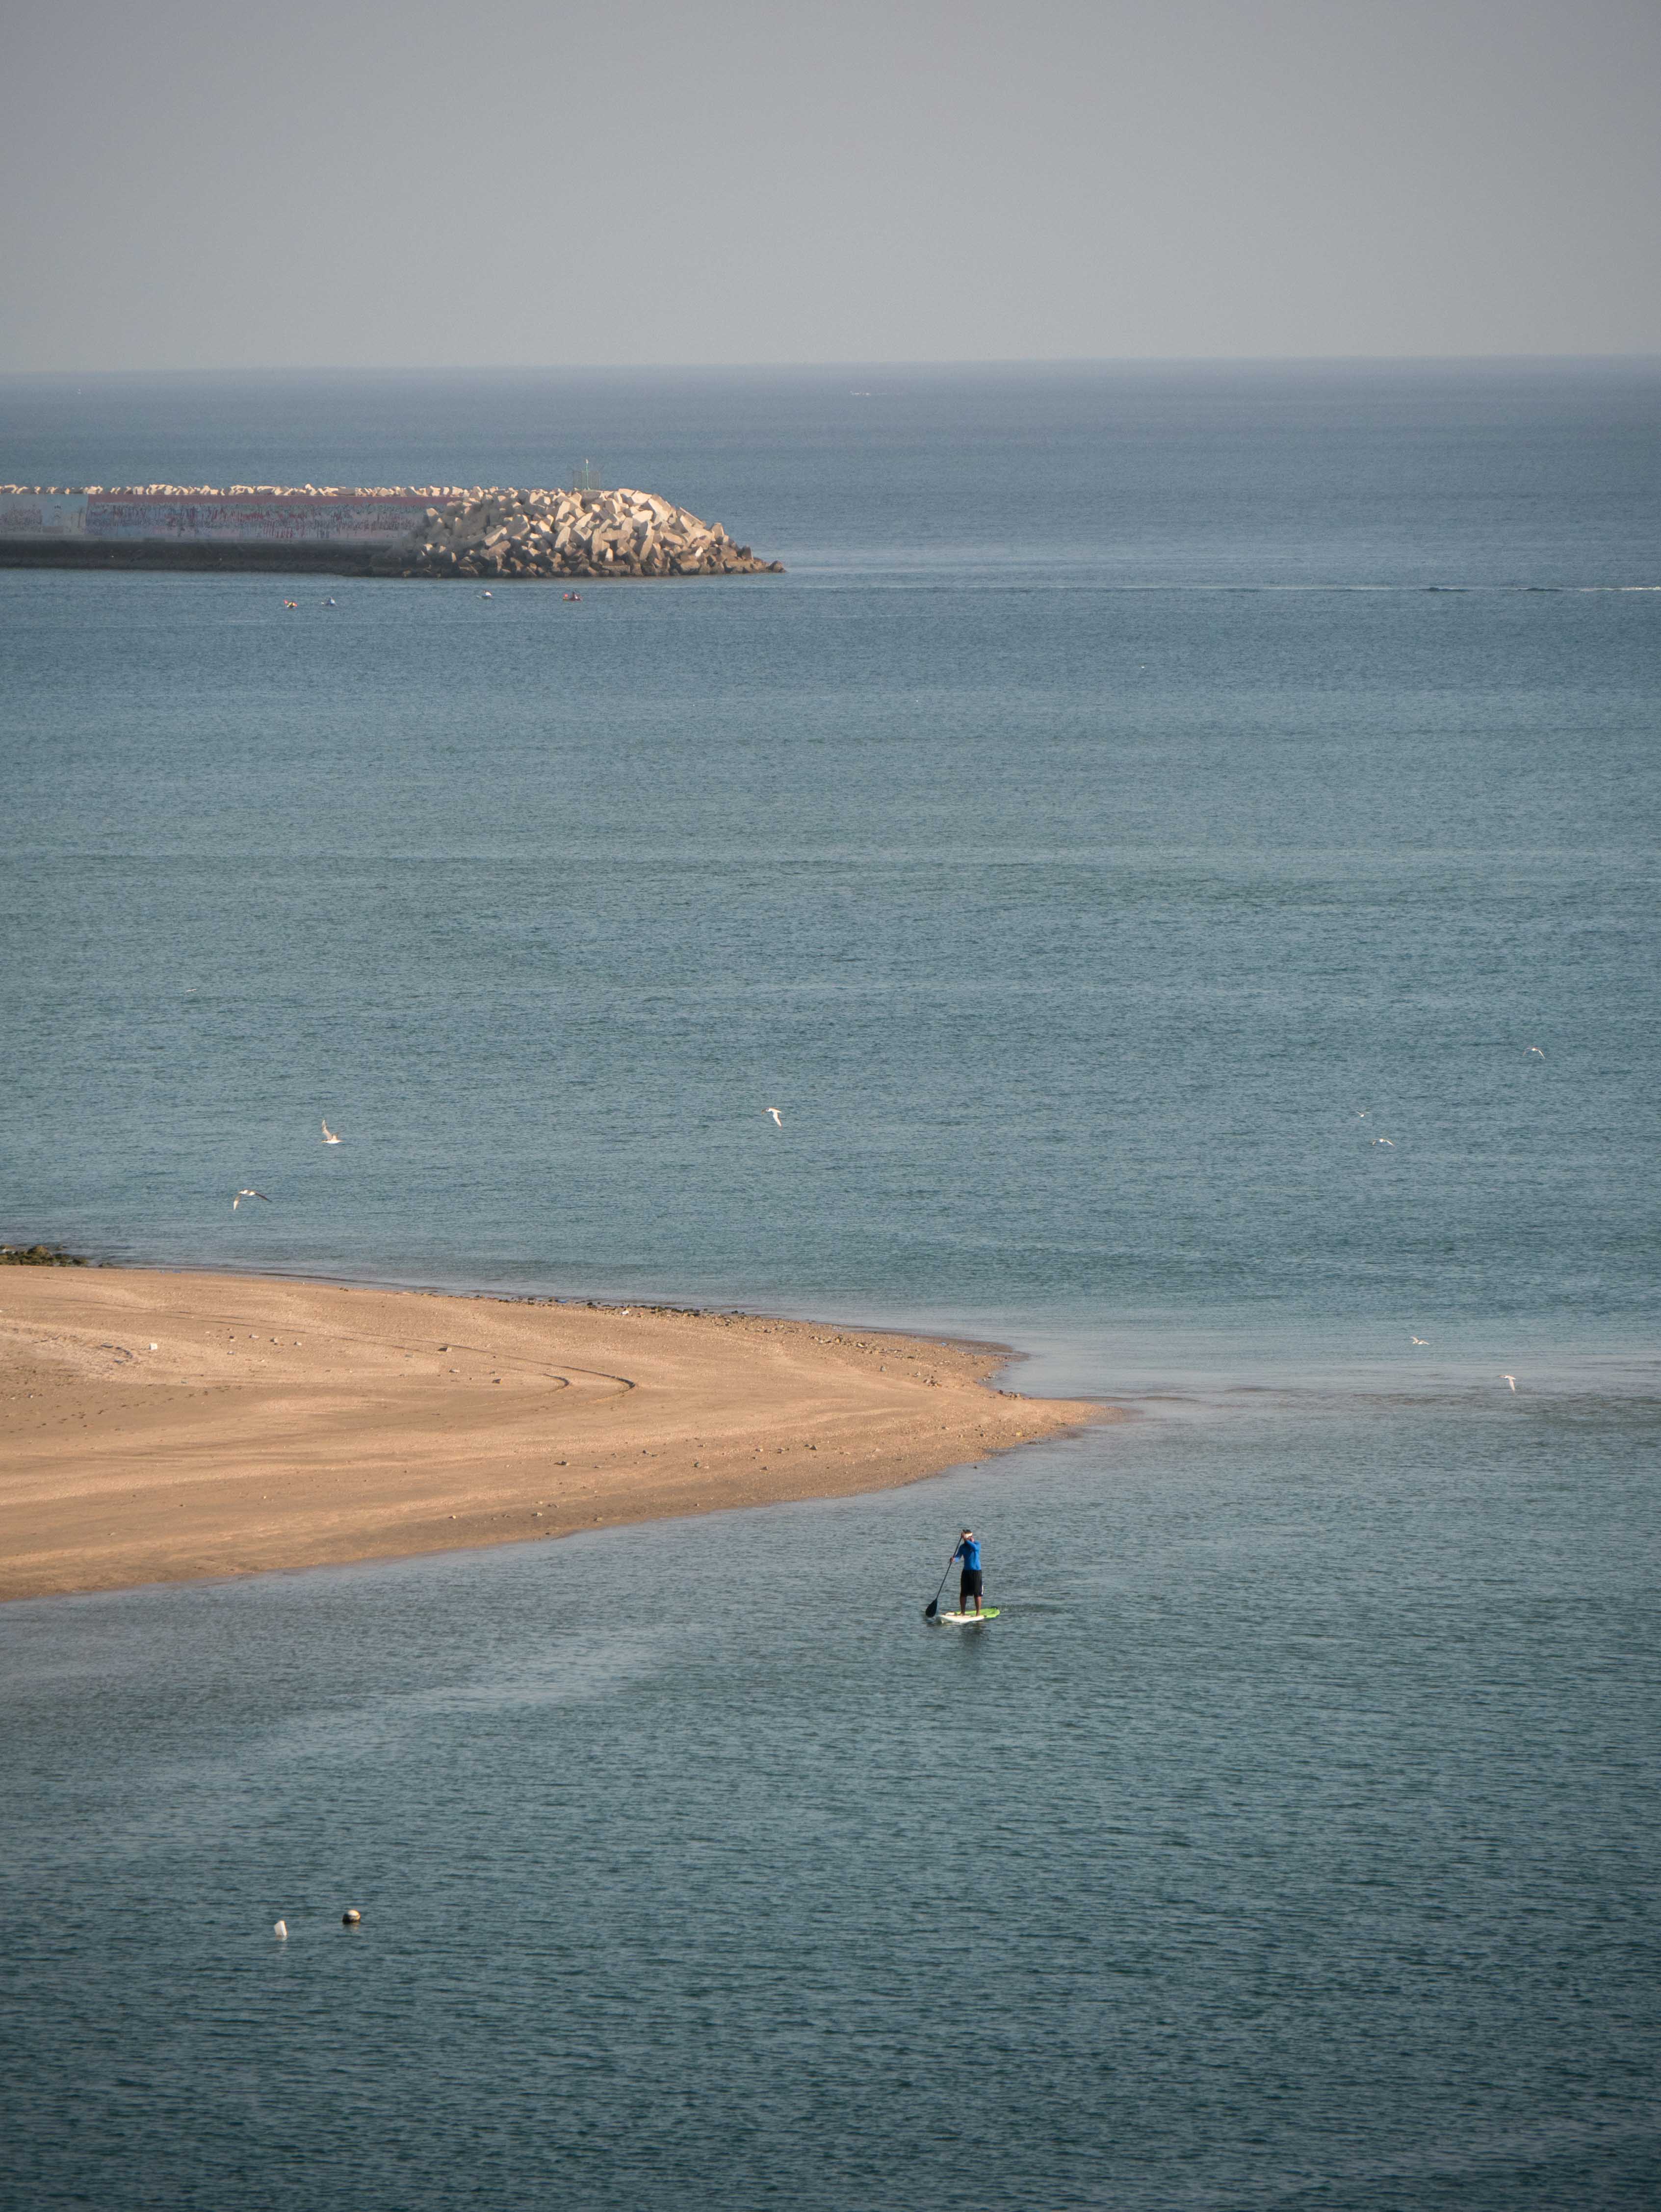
(160, 1428)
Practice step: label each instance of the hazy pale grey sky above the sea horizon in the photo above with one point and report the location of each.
(432, 182)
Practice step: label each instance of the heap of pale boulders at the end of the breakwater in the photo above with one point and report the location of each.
(563, 534)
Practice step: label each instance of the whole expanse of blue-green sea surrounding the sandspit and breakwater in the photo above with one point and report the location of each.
(1145, 793)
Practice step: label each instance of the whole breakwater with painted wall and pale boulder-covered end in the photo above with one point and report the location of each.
(419, 532)
